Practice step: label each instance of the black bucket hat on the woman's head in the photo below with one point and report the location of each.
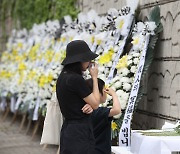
(78, 51)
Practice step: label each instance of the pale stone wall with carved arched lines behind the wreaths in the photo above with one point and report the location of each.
(161, 100)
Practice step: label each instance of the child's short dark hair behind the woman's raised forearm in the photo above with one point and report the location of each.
(101, 84)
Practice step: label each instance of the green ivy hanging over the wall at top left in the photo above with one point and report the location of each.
(25, 13)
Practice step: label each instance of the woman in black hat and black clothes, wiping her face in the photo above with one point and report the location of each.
(73, 93)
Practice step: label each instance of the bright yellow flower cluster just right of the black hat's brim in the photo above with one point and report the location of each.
(107, 57)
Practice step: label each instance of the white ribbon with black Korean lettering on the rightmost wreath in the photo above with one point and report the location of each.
(125, 131)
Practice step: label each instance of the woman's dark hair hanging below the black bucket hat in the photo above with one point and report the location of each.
(74, 67)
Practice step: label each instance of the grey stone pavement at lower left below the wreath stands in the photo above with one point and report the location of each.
(14, 142)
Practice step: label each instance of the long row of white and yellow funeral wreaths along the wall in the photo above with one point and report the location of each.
(33, 69)
